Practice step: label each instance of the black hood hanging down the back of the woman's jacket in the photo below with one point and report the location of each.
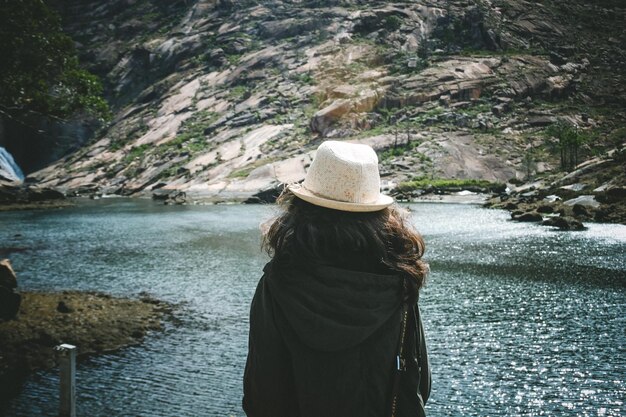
(331, 309)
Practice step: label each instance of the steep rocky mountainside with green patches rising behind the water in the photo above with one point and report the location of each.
(223, 100)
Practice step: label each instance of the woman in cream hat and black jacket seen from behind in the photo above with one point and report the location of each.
(334, 324)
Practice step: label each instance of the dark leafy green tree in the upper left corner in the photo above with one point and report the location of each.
(40, 72)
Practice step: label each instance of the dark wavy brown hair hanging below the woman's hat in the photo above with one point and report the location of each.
(380, 241)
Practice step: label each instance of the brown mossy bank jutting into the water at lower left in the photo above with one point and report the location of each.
(92, 321)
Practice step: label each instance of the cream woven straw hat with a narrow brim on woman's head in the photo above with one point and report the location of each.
(343, 176)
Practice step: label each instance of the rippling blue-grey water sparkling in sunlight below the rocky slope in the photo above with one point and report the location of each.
(521, 320)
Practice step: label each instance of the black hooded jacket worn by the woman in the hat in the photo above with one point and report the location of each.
(323, 343)
